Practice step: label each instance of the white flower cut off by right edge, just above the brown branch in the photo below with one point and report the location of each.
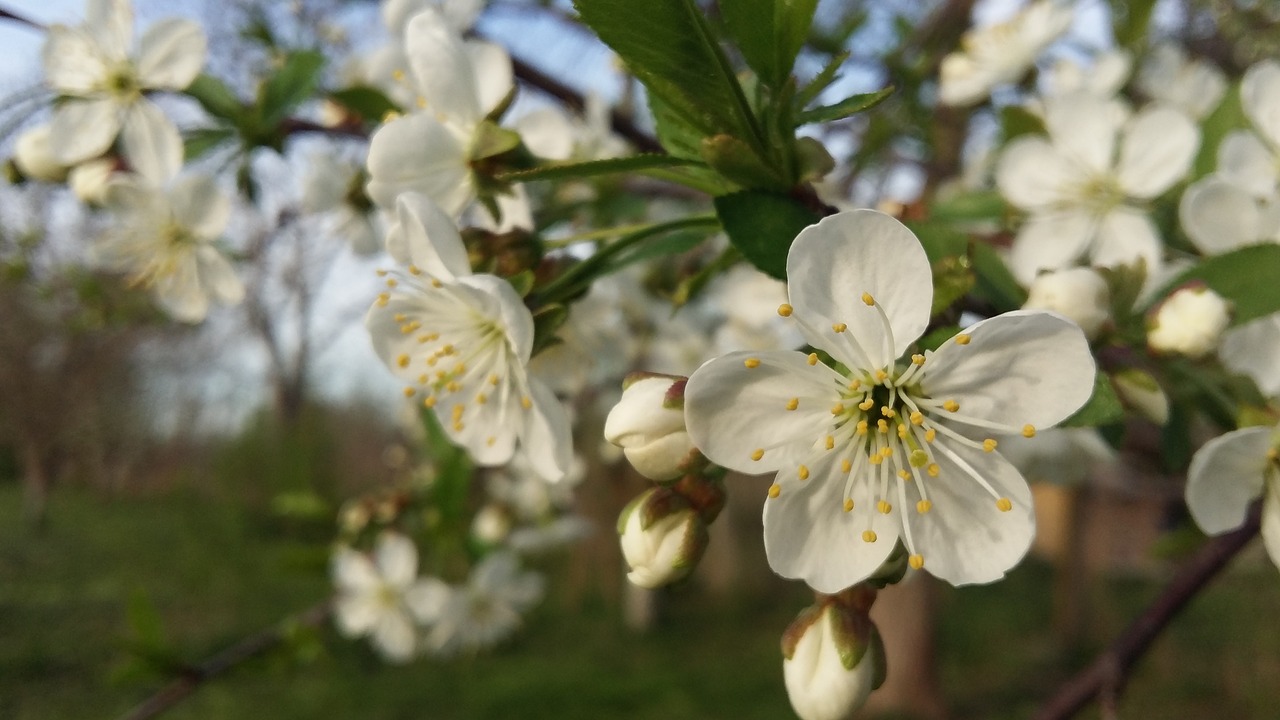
(1228, 475)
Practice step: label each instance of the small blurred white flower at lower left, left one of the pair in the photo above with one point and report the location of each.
(383, 598)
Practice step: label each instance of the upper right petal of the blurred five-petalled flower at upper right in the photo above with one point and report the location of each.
(1156, 151)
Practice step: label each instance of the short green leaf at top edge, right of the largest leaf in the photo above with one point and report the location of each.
(770, 34)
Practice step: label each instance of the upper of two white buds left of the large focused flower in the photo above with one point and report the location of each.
(650, 425)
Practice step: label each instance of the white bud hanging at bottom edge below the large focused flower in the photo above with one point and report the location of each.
(833, 660)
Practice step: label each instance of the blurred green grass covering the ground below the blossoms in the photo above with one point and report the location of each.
(216, 573)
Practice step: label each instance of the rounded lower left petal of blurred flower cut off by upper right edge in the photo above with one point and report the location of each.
(1219, 216)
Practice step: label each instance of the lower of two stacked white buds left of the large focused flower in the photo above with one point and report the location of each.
(662, 539)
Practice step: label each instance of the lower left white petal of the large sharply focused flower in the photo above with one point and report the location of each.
(808, 536)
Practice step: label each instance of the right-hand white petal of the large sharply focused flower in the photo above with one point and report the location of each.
(1027, 367)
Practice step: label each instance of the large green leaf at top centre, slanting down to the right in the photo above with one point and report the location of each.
(670, 48)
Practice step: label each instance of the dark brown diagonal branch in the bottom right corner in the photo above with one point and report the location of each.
(1107, 677)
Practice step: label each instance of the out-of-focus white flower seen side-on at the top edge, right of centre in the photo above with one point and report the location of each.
(1002, 53)
